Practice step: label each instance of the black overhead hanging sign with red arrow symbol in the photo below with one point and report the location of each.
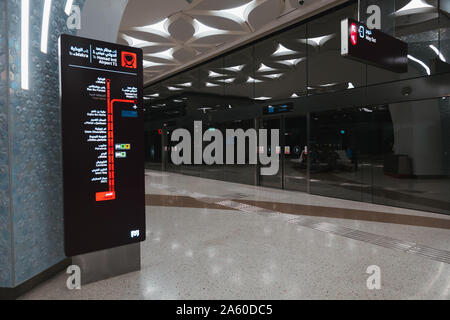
(373, 47)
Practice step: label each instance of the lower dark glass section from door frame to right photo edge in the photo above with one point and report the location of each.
(395, 154)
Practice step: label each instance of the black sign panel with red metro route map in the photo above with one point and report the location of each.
(102, 137)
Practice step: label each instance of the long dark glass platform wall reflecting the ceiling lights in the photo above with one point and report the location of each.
(355, 131)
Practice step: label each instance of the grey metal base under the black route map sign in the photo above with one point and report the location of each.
(108, 263)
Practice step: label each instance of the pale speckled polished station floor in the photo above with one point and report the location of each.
(205, 253)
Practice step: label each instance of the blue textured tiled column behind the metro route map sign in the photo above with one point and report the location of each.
(30, 145)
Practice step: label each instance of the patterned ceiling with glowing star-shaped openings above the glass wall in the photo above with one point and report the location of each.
(195, 28)
